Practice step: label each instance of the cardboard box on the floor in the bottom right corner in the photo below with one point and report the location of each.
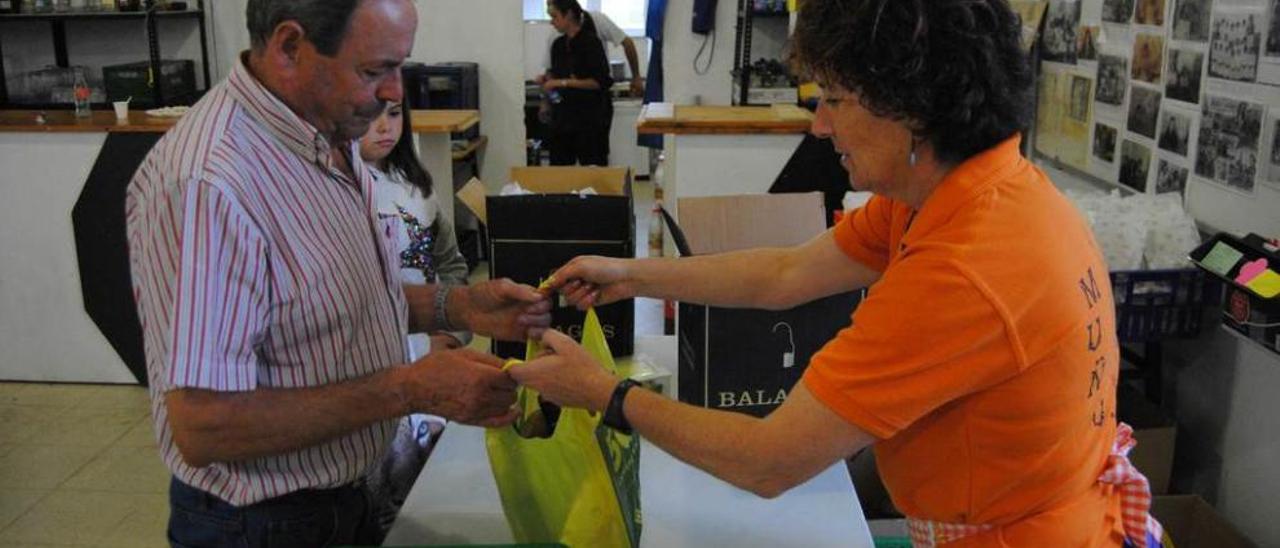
(1192, 523)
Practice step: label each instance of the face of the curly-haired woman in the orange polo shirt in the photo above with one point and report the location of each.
(874, 150)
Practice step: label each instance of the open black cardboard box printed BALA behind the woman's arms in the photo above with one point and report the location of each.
(748, 360)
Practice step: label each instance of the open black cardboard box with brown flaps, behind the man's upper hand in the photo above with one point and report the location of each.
(534, 235)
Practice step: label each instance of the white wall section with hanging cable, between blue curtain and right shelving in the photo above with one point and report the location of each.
(683, 85)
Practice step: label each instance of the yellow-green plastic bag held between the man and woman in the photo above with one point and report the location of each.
(582, 486)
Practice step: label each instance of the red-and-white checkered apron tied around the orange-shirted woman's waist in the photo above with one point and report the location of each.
(1141, 529)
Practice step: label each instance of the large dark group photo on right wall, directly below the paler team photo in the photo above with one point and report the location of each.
(1228, 145)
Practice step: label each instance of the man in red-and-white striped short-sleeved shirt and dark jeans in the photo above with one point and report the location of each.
(273, 317)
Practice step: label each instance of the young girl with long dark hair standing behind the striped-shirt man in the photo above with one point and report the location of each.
(410, 217)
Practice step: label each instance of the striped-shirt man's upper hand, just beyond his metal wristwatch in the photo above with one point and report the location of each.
(501, 309)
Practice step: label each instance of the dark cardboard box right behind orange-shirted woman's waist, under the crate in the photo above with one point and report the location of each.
(1156, 435)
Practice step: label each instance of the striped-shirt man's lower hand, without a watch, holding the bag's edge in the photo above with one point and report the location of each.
(463, 386)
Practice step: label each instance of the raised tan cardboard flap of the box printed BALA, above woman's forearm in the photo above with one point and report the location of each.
(719, 225)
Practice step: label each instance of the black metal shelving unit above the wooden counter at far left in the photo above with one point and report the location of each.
(149, 16)
